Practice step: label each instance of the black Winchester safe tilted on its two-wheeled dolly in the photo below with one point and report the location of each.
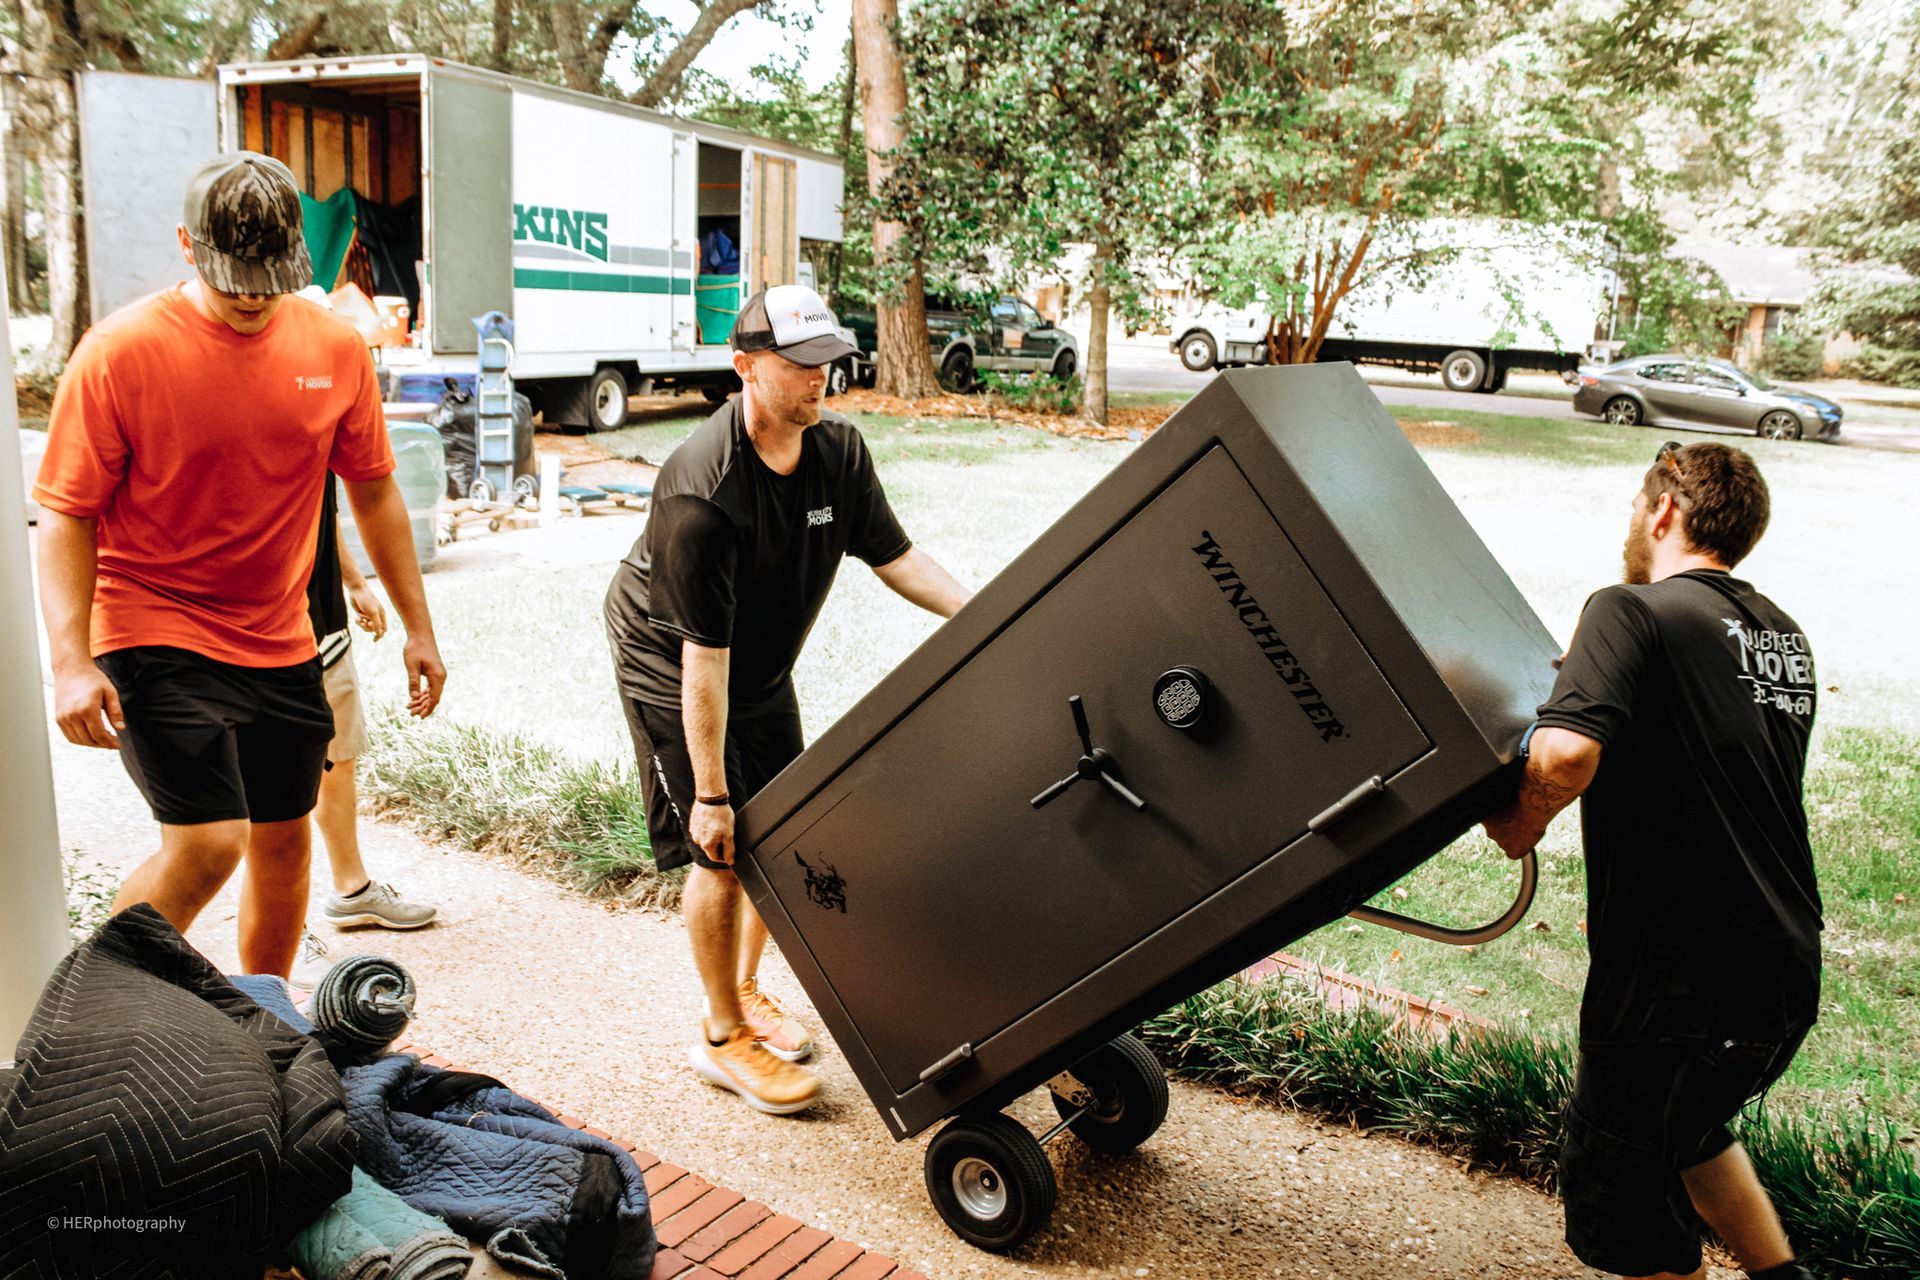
(1259, 675)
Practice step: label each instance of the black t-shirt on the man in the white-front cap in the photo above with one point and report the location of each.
(740, 557)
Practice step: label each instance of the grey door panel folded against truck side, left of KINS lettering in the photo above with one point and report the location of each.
(469, 206)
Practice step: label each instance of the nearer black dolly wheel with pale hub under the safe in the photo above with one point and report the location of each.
(990, 1181)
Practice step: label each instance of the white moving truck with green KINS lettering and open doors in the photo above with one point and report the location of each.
(579, 218)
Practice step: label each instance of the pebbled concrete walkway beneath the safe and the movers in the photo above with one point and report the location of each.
(590, 1010)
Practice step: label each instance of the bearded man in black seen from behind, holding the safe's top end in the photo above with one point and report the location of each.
(1681, 721)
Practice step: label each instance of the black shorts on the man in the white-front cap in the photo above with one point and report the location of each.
(756, 751)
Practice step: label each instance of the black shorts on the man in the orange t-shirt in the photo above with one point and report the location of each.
(212, 742)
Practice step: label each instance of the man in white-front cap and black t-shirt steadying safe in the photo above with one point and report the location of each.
(708, 615)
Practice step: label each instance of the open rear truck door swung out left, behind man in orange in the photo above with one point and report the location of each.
(141, 139)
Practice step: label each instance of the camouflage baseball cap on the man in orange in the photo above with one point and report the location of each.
(243, 216)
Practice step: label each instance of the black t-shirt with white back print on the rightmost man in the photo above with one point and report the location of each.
(1704, 916)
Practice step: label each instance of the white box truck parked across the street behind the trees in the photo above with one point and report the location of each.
(1502, 300)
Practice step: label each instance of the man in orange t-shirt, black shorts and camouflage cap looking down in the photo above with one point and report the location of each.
(181, 490)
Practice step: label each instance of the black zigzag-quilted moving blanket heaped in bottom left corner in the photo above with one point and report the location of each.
(158, 1122)
